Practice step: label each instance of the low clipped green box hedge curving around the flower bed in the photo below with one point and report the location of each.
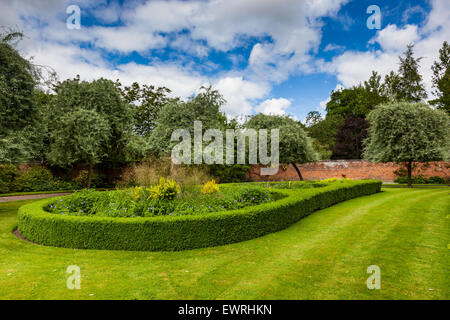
(184, 232)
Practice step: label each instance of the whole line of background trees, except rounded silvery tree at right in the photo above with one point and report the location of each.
(102, 122)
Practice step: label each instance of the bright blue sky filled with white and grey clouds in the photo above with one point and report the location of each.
(275, 57)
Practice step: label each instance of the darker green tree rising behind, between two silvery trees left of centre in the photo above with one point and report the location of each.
(148, 101)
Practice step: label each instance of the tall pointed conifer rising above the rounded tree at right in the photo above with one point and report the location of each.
(410, 86)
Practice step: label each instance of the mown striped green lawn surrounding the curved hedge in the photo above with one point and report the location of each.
(324, 256)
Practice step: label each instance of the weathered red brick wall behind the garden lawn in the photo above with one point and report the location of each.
(353, 169)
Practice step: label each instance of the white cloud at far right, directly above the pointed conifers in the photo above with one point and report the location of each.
(353, 67)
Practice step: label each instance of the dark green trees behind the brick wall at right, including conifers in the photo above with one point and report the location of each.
(340, 134)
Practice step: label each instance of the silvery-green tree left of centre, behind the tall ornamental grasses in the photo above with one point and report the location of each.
(176, 114)
